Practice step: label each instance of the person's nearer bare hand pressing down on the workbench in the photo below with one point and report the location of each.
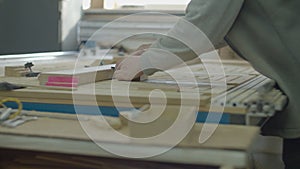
(128, 69)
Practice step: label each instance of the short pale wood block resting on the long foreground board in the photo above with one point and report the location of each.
(156, 119)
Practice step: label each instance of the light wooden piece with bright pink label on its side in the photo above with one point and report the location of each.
(81, 76)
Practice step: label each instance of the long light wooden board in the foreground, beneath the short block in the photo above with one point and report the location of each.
(229, 137)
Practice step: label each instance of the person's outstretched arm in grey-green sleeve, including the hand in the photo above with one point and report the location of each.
(212, 17)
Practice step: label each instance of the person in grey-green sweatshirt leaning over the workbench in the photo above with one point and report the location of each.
(266, 33)
